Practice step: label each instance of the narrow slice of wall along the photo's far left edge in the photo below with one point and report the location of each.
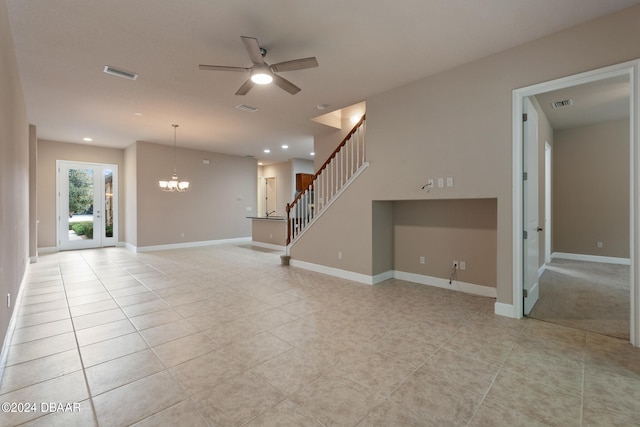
(14, 175)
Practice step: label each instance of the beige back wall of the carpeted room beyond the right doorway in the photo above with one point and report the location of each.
(591, 190)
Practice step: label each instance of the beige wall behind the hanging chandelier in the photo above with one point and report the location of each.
(214, 208)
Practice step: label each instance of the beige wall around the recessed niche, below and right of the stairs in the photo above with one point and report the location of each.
(458, 123)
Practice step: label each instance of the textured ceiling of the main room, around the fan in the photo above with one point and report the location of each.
(363, 47)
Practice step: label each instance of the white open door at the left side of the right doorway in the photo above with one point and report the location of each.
(530, 209)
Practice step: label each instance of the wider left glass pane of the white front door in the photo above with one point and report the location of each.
(80, 204)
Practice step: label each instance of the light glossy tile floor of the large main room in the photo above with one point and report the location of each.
(226, 336)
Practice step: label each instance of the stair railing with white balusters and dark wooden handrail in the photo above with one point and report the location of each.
(334, 176)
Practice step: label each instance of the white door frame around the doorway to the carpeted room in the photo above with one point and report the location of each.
(632, 69)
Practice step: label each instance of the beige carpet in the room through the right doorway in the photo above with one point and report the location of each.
(585, 295)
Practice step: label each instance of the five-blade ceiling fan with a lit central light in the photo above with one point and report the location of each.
(263, 73)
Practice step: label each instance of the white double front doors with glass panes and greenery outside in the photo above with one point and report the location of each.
(87, 205)
